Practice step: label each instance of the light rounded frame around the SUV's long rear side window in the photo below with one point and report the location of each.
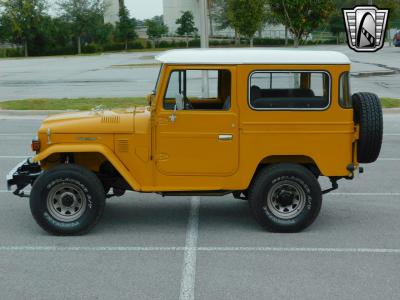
(290, 71)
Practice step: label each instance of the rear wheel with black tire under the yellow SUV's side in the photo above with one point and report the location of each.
(298, 185)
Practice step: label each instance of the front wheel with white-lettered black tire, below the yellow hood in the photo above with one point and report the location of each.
(67, 200)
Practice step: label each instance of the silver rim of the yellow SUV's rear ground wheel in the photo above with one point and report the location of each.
(286, 199)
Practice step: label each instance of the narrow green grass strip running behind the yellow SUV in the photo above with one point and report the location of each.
(89, 103)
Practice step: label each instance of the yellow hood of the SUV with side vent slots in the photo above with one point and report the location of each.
(96, 121)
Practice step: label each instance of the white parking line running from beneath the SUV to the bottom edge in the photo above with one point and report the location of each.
(189, 264)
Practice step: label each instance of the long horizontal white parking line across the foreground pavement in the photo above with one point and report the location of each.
(198, 249)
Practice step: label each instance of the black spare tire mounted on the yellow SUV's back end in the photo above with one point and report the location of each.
(368, 115)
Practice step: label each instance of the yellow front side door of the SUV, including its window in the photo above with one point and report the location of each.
(199, 136)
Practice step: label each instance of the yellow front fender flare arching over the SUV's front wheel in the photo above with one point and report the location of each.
(92, 148)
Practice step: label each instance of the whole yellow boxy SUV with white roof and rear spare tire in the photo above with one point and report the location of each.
(259, 124)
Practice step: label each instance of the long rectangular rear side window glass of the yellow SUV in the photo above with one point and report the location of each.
(289, 90)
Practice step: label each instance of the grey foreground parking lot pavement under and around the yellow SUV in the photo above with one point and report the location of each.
(149, 247)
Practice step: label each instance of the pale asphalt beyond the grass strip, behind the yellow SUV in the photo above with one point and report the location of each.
(135, 74)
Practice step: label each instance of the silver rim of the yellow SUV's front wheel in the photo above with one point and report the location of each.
(66, 202)
